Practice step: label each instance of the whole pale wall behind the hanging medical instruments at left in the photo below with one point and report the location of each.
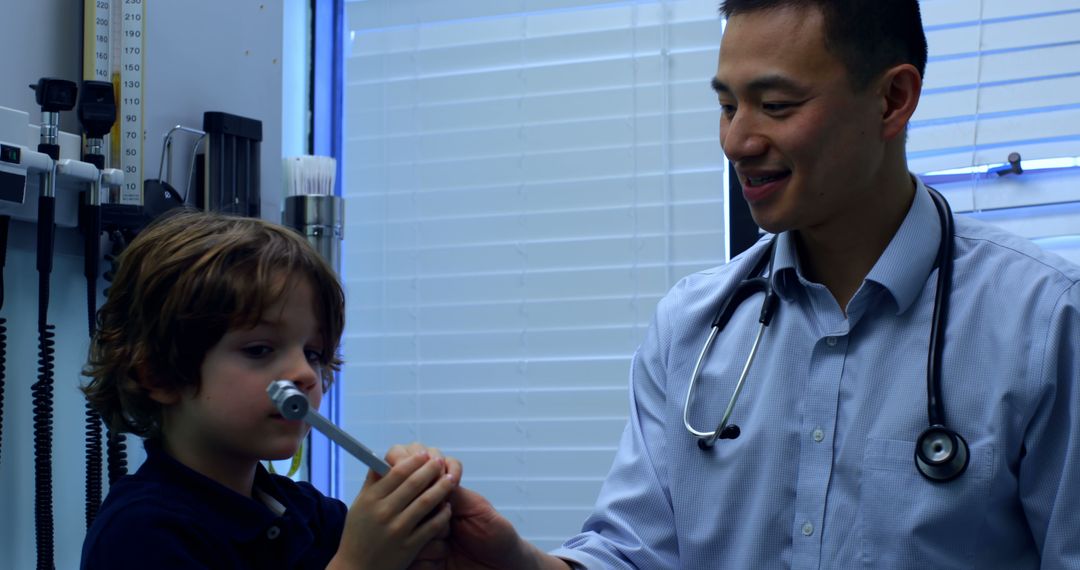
(201, 56)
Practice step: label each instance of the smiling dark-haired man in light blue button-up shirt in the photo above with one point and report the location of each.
(817, 97)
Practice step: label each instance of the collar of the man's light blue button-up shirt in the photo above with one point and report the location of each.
(903, 267)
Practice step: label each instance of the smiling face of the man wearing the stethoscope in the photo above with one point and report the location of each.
(804, 143)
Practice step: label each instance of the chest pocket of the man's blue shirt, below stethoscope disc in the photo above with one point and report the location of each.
(910, 522)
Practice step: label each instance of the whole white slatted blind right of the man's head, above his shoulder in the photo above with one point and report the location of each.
(1005, 77)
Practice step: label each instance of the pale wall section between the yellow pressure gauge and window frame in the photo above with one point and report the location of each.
(215, 57)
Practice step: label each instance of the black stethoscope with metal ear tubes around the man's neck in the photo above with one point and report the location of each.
(940, 454)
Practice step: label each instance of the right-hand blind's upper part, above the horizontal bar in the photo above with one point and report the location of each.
(1004, 77)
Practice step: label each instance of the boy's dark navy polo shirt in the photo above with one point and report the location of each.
(168, 517)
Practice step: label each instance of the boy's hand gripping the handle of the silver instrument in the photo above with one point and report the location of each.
(396, 517)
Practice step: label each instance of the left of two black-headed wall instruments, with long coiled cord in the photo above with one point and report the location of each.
(53, 96)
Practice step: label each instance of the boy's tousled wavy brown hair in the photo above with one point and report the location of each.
(185, 281)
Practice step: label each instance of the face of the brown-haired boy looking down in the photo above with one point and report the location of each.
(231, 422)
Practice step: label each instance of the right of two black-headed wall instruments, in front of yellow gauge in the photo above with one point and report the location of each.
(98, 113)
